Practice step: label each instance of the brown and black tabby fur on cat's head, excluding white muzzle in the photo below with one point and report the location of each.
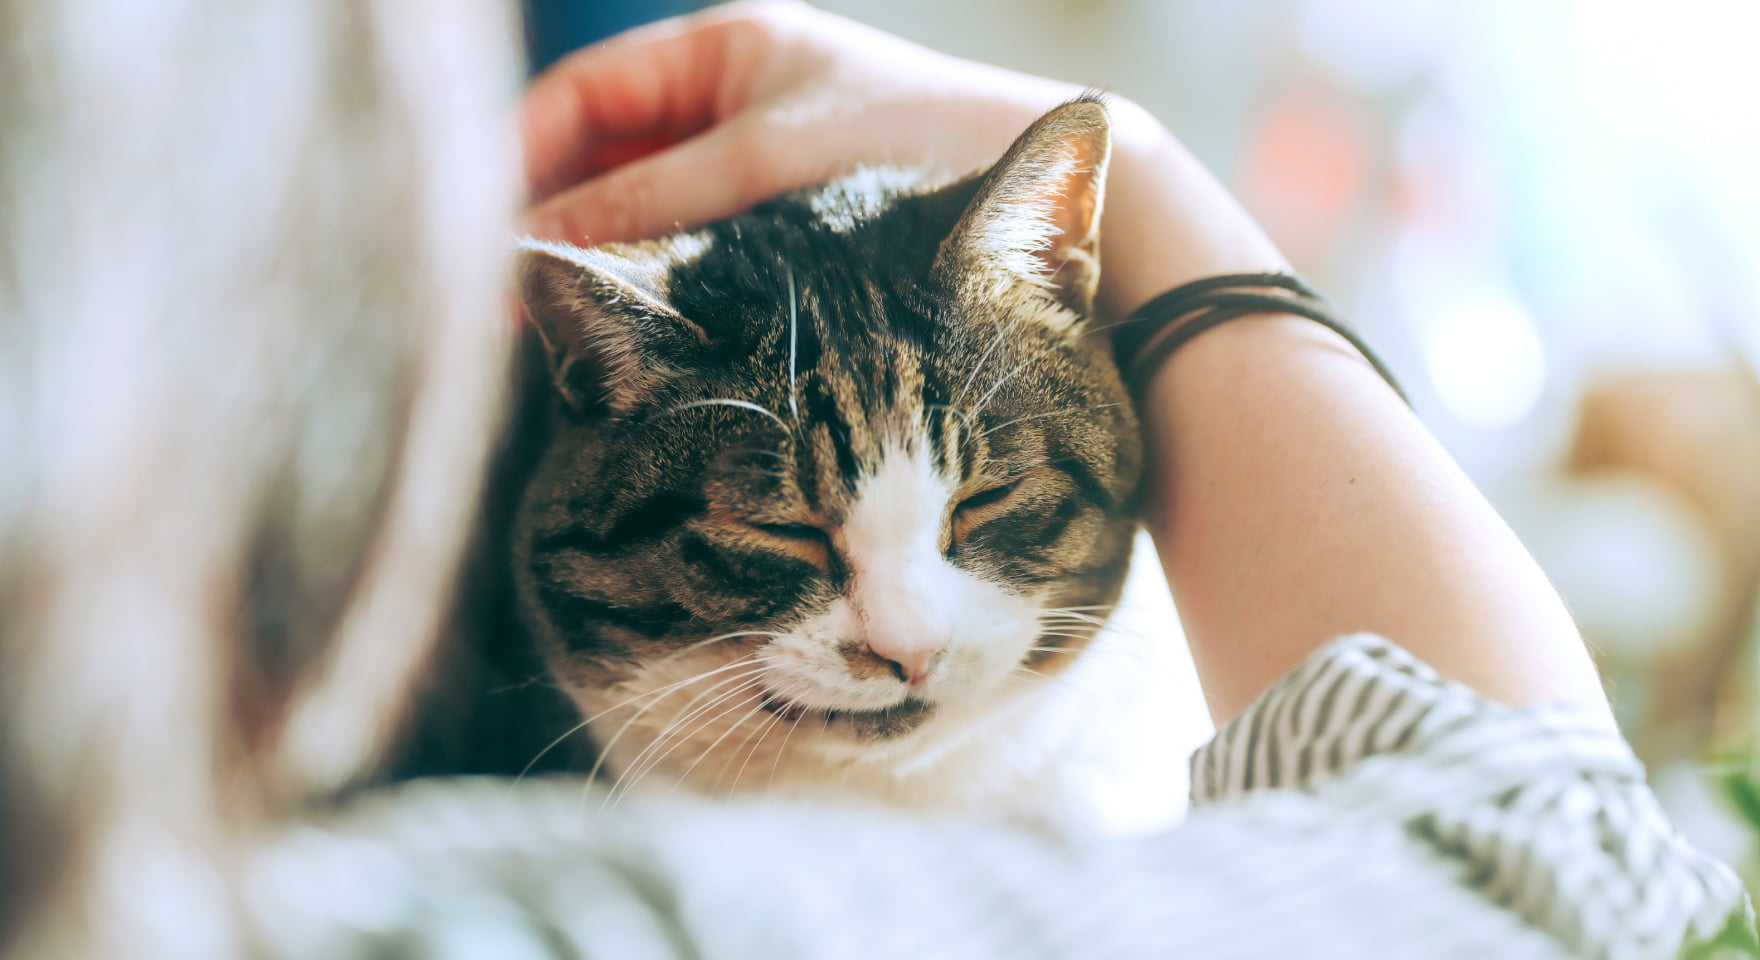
(721, 395)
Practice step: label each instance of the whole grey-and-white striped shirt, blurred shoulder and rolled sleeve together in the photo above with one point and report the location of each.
(1361, 809)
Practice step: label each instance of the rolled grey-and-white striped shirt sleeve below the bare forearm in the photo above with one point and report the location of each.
(1544, 809)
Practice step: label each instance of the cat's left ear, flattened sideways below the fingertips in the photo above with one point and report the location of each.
(610, 334)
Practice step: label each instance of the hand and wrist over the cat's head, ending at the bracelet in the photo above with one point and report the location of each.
(700, 117)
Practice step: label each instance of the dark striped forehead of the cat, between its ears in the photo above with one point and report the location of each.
(837, 284)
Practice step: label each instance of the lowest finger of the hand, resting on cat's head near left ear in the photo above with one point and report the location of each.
(703, 179)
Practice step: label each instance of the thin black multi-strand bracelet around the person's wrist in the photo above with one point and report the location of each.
(1170, 321)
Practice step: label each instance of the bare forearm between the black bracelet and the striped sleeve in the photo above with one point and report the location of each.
(1296, 499)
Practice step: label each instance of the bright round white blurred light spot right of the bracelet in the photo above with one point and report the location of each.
(1488, 364)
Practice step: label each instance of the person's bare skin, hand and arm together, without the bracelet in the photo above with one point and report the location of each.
(1294, 496)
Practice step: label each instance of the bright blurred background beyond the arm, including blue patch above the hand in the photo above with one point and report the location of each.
(1546, 214)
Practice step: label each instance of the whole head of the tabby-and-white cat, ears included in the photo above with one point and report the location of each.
(846, 473)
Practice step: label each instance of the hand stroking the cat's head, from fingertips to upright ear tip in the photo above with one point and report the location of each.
(698, 117)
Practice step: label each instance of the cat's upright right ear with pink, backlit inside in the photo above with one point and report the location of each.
(1036, 218)
